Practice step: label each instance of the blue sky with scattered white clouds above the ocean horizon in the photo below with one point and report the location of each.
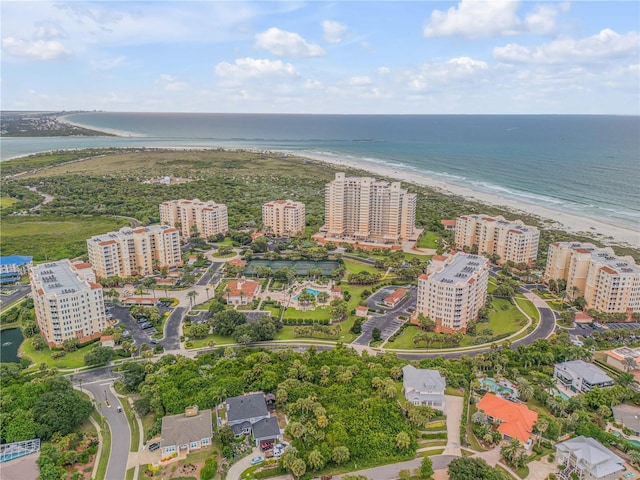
(322, 57)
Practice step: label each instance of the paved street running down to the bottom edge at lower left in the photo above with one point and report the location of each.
(98, 382)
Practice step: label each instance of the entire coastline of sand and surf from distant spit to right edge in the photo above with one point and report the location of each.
(606, 230)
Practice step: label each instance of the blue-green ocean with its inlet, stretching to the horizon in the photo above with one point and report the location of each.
(583, 164)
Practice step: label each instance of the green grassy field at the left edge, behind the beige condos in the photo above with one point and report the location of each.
(53, 238)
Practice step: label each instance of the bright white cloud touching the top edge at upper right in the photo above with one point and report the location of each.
(477, 19)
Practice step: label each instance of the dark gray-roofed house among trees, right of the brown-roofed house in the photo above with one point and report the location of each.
(248, 414)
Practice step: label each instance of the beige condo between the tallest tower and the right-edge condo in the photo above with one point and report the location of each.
(512, 241)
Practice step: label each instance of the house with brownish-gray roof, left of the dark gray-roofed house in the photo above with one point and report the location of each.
(187, 431)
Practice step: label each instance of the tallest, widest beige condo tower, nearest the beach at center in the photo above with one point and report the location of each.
(365, 209)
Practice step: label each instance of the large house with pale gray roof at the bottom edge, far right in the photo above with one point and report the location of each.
(588, 459)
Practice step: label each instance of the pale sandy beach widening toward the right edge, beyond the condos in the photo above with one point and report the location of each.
(608, 233)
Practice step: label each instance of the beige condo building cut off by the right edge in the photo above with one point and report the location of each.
(607, 282)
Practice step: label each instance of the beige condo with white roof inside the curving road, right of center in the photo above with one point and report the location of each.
(453, 290)
